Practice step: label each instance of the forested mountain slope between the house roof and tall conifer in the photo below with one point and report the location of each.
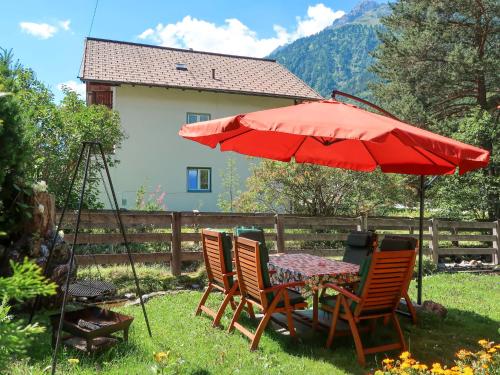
(339, 56)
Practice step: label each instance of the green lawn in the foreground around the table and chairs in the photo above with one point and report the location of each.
(472, 301)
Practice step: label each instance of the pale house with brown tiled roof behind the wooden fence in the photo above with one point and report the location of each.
(156, 90)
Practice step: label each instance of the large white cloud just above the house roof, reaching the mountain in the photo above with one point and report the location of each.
(233, 36)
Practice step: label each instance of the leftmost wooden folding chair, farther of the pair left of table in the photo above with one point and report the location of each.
(217, 253)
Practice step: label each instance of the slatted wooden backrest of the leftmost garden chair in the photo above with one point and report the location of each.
(213, 255)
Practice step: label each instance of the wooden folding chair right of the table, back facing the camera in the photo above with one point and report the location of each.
(377, 297)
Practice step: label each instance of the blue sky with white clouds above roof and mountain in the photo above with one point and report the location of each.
(48, 36)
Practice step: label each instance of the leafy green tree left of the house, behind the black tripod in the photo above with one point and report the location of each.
(54, 133)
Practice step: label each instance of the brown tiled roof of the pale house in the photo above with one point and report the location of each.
(131, 63)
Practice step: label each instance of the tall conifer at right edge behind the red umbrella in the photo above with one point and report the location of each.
(438, 65)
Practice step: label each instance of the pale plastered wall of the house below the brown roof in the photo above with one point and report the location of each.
(154, 155)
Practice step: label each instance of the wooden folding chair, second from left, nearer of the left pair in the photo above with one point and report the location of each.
(256, 289)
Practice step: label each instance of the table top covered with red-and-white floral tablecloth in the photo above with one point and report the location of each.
(311, 265)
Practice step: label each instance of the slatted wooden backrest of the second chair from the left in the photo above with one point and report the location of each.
(247, 258)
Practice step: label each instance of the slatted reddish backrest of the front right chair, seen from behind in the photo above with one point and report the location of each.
(387, 278)
